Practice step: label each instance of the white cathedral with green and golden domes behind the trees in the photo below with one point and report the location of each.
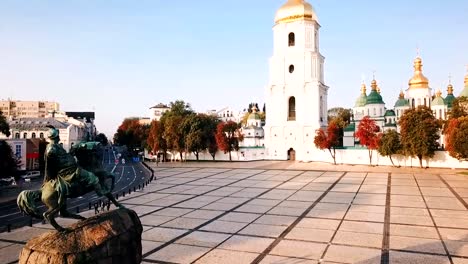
(419, 93)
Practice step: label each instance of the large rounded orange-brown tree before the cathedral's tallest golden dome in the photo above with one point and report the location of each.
(419, 133)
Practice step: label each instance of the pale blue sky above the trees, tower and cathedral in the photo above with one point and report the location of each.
(118, 58)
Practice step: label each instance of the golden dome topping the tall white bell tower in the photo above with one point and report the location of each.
(295, 10)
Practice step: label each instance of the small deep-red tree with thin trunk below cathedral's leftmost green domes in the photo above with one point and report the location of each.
(368, 135)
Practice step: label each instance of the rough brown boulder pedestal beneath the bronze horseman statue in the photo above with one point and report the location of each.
(112, 237)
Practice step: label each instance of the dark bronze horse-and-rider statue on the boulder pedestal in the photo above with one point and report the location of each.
(66, 178)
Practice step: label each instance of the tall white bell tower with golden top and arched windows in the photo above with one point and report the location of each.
(296, 96)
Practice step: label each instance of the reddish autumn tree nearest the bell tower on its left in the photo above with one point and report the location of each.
(228, 136)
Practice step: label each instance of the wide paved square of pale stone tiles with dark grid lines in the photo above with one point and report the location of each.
(224, 215)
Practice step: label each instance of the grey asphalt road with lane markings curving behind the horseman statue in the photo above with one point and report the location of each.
(127, 177)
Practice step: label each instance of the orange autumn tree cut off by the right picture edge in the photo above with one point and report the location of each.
(456, 139)
